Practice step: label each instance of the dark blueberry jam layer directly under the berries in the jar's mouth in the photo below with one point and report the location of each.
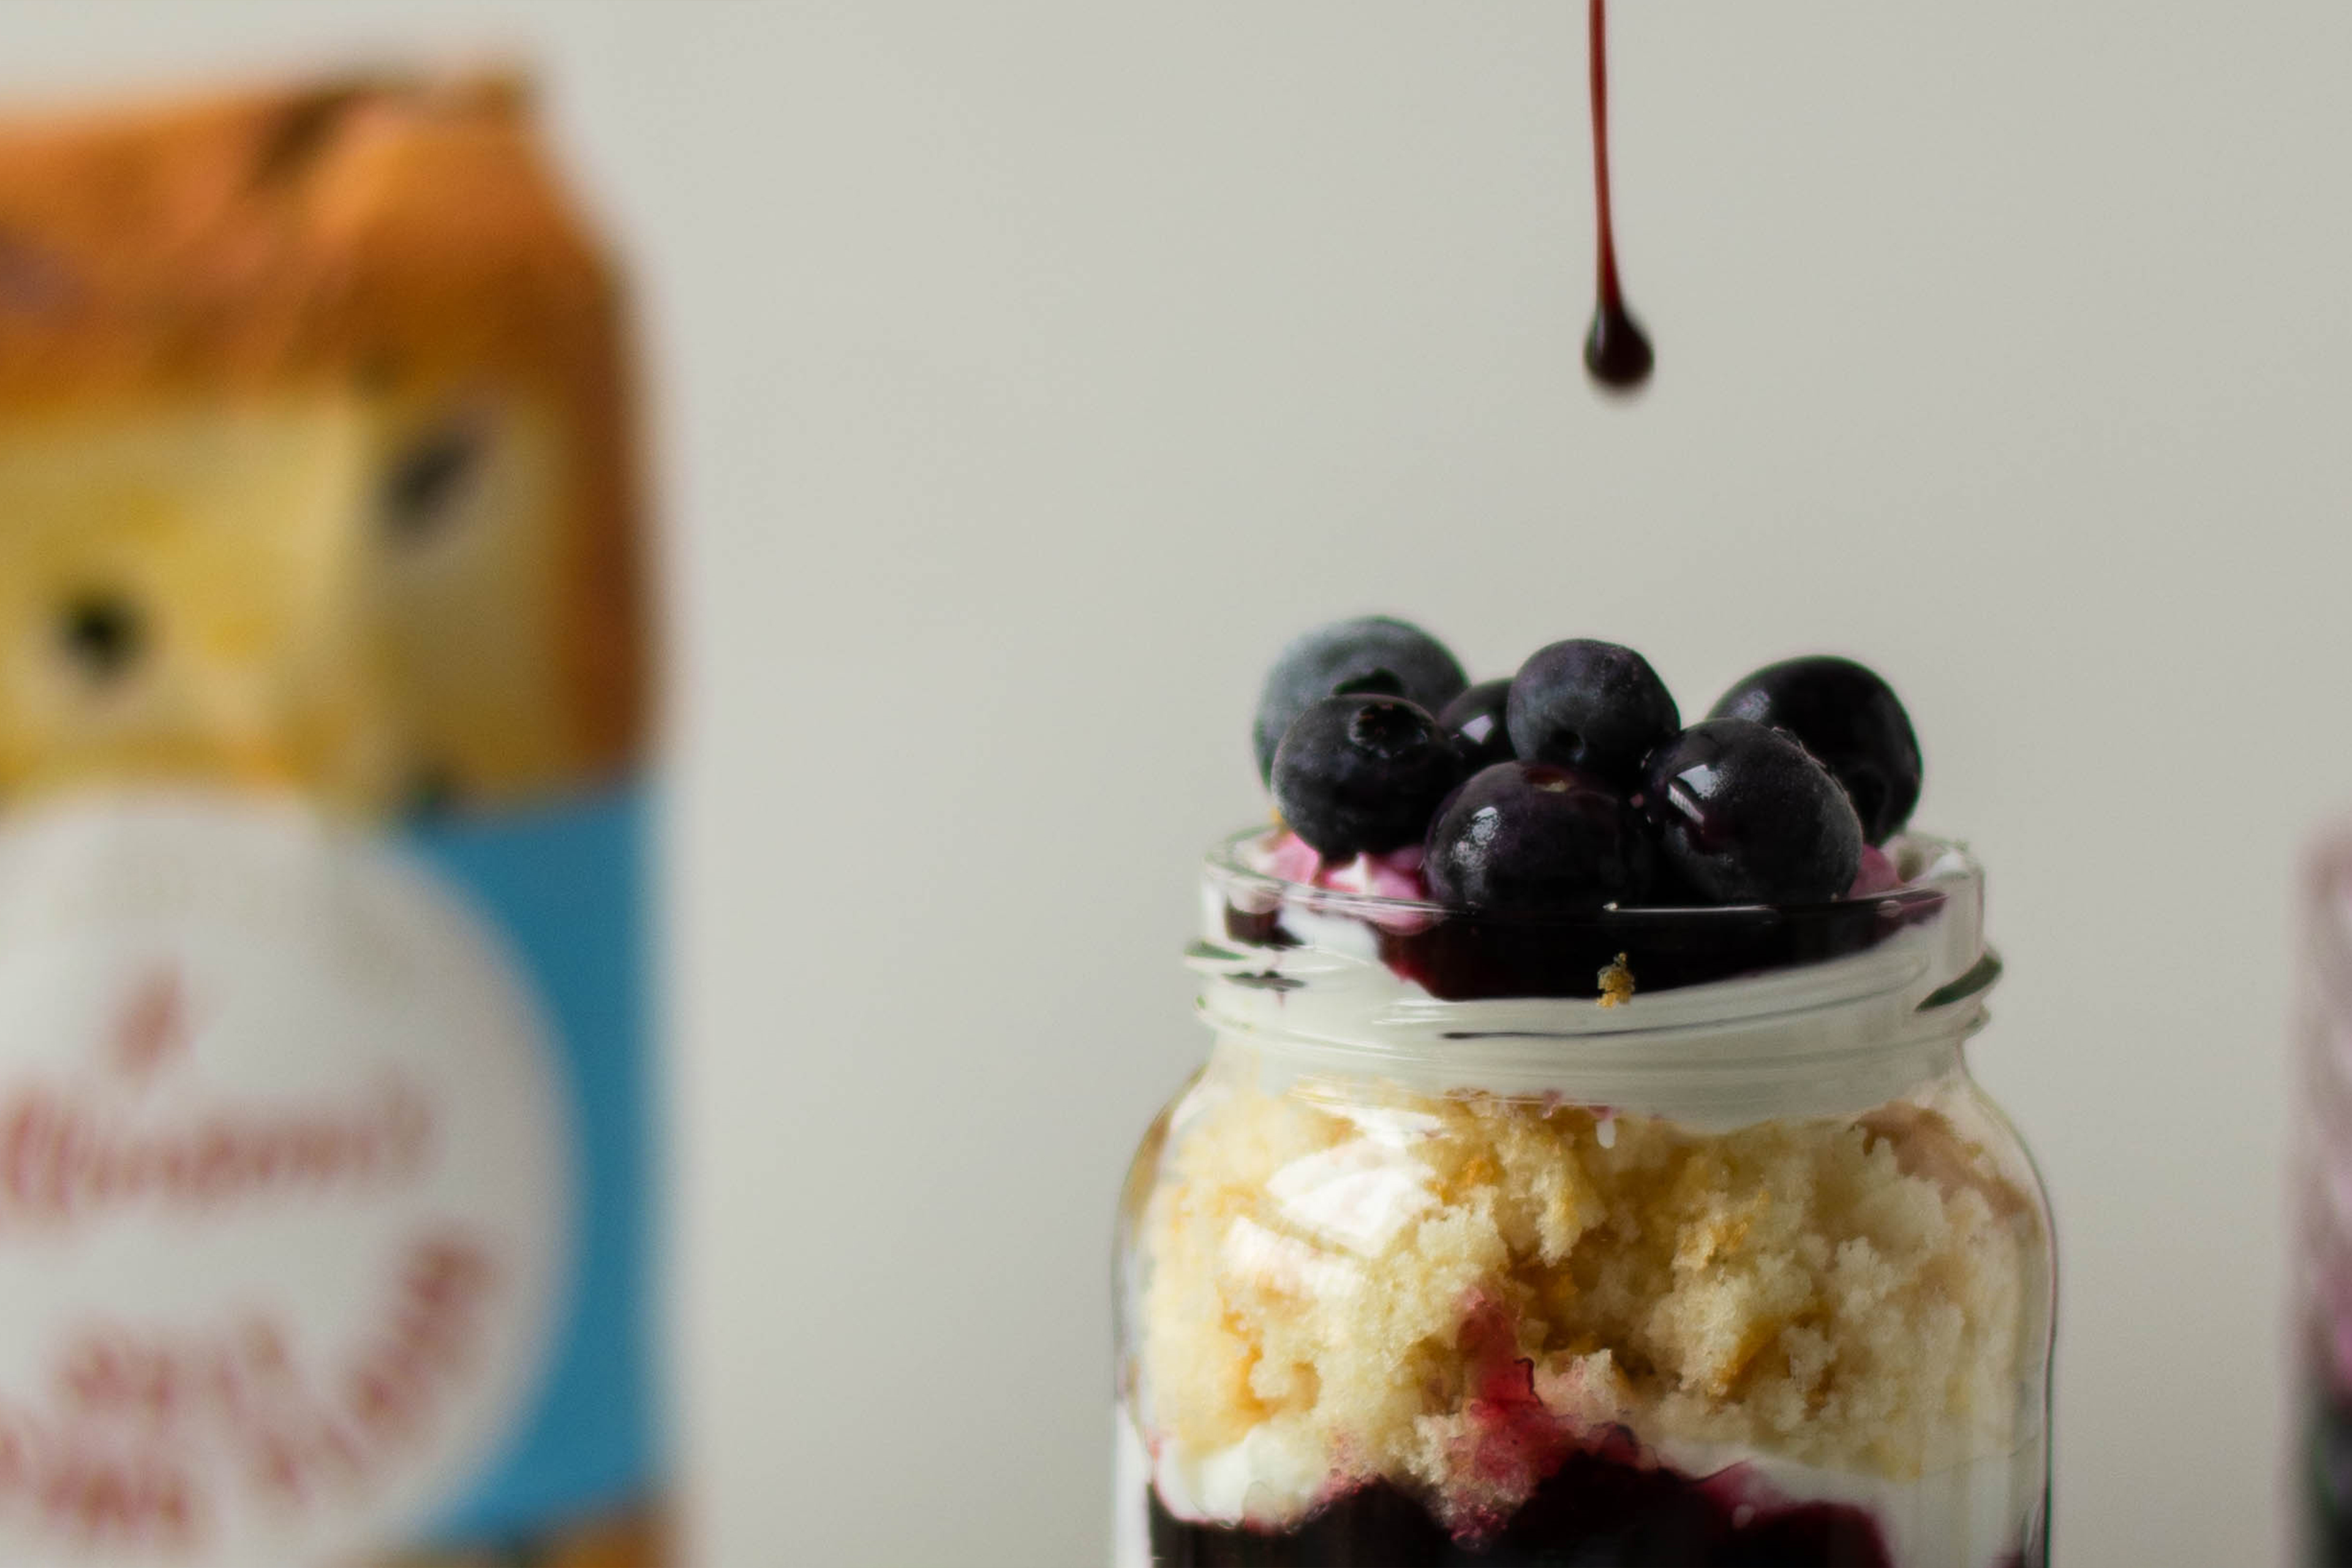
(1466, 958)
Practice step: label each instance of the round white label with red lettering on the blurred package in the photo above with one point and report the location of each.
(286, 1188)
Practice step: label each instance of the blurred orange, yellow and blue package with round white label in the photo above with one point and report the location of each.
(323, 1123)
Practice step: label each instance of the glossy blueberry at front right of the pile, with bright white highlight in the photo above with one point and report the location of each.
(1751, 817)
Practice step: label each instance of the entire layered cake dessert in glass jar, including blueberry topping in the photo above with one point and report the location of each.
(1584, 1170)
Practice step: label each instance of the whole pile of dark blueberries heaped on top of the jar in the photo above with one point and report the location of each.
(1575, 784)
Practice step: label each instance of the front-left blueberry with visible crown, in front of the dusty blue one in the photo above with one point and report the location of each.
(1363, 775)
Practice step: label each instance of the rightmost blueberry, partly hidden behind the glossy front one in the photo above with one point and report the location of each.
(1852, 721)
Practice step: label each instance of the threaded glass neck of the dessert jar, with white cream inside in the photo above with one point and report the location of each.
(1328, 981)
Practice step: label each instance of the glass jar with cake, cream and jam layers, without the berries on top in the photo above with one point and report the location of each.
(1629, 1240)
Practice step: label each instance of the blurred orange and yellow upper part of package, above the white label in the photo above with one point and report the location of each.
(314, 453)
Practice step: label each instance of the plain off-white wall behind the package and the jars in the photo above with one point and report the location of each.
(1031, 370)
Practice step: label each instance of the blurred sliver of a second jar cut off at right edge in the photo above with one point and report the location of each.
(2325, 1205)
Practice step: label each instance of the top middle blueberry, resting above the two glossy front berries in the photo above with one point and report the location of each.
(1591, 706)
